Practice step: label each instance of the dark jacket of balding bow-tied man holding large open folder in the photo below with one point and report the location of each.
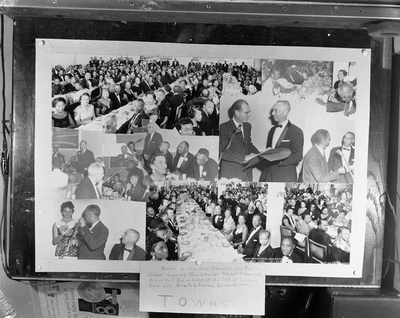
(285, 170)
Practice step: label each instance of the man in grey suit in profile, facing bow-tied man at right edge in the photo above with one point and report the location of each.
(315, 166)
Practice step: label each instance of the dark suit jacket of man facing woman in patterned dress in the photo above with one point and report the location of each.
(92, 242)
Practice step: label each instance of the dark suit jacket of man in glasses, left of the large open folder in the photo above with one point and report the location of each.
(233, 156)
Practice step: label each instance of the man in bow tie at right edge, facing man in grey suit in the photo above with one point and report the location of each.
(343, 156)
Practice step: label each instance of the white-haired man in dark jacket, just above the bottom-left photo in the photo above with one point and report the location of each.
(88, 187)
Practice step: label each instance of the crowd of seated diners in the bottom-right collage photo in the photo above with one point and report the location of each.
(320, 223)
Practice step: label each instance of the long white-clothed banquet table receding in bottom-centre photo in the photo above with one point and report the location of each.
(198, 239)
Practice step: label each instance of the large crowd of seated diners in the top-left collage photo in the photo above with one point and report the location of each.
(167, 89)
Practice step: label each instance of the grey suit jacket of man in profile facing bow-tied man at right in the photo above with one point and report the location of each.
(315, 168)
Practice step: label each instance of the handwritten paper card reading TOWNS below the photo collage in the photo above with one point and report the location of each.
(206, 288)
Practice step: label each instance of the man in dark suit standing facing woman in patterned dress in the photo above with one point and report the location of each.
(92, 234)
